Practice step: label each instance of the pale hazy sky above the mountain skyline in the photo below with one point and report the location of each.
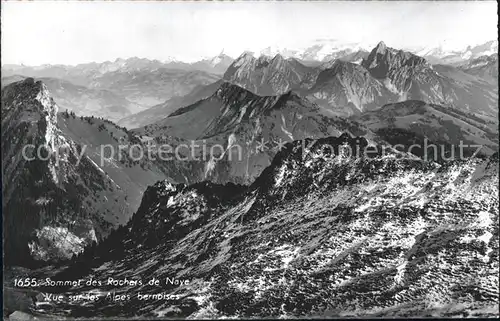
(74, 32)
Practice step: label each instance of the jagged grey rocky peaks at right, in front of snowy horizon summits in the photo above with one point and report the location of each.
(386, 75)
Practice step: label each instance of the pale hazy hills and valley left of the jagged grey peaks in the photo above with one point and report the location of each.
(135, 83)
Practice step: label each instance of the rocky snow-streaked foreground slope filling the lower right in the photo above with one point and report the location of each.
(319, 233)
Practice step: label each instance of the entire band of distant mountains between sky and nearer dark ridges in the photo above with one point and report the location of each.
(125, 90)
